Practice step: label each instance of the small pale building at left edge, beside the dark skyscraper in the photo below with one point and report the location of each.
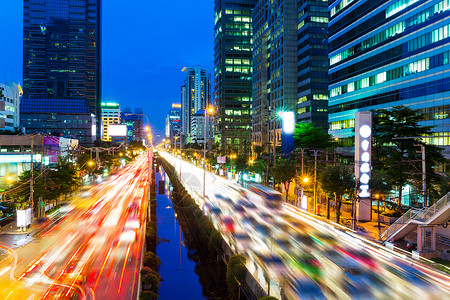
(9, 106)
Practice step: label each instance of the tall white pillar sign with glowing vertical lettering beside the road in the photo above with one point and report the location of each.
(363, 164)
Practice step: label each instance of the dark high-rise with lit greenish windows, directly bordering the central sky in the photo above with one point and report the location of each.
(233, 74)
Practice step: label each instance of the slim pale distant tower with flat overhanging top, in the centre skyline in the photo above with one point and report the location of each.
(195, 95)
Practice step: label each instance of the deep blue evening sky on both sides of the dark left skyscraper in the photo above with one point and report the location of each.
(145, 46)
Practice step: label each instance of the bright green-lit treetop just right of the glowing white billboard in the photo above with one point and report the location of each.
(308, 136)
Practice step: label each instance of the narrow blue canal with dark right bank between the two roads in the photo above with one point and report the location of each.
(185, 273)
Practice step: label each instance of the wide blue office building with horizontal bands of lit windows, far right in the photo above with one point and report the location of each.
(389, 53)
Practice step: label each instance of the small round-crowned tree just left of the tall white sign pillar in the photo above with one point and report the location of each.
(337, 181)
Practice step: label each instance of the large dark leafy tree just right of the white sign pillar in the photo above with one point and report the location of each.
(395, 141)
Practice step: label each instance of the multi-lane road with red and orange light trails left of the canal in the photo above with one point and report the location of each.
(90, 249)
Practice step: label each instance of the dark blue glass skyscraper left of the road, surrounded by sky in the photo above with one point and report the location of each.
(61, 65)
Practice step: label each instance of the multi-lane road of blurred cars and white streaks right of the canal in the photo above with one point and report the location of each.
(296, 256)
